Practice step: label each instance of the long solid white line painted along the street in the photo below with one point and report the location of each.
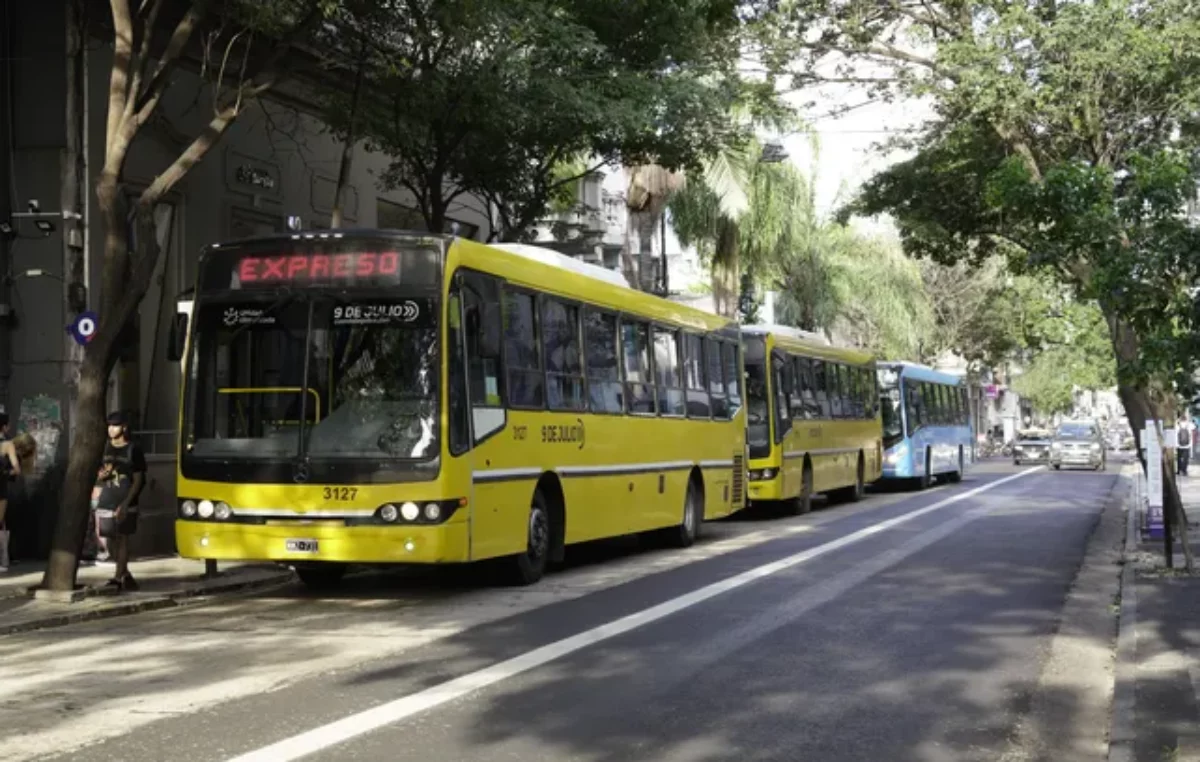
(393, 712)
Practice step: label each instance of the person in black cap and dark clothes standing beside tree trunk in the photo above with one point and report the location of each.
(121, 482)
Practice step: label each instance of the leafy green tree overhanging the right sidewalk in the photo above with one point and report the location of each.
(1064, 141)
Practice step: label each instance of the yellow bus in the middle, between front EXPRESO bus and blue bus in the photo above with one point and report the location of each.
(813, 418)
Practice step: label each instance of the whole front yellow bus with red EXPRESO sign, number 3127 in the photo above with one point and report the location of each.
(389, 398)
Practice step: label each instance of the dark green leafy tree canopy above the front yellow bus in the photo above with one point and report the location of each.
(495, 98)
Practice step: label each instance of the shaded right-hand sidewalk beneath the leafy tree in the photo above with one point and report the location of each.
(1166, 645)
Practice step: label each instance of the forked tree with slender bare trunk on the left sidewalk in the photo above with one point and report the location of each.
(254, 39)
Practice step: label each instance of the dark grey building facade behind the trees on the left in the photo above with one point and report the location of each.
(277, 163)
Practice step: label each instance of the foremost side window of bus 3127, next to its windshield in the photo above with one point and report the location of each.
(482, 310)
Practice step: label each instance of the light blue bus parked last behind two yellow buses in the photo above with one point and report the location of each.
(927, 424)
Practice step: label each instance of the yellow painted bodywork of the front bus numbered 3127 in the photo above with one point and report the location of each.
(619, 475)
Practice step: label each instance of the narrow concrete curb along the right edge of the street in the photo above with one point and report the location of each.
(1123, 733)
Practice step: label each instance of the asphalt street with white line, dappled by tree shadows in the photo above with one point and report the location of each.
(909, 627)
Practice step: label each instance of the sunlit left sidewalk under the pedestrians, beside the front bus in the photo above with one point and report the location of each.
(164, 583)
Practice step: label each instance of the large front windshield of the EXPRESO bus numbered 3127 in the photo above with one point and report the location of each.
(315, 375)
